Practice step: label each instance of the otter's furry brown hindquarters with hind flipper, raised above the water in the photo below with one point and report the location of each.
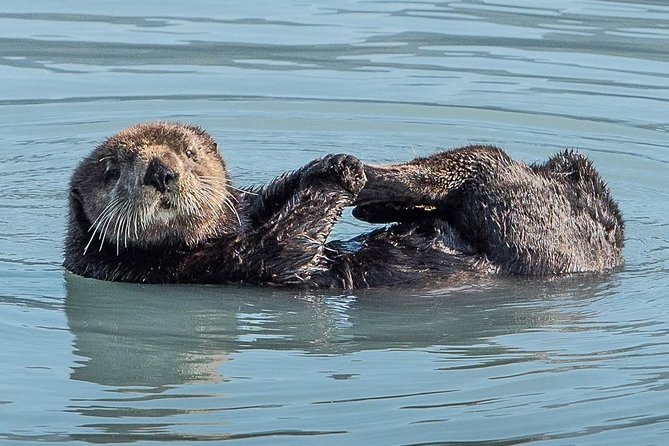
(508, 217)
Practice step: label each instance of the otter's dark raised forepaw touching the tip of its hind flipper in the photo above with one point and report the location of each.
(346, 170)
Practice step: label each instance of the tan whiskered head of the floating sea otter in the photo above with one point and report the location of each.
(152, 184)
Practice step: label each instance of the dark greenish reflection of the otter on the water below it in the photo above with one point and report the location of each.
(193, 331)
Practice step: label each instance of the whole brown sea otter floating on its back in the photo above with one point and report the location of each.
(154, 204)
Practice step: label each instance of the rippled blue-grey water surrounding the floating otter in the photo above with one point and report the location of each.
(568, 361)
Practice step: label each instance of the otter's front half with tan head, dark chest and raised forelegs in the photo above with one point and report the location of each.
(153, 204)
